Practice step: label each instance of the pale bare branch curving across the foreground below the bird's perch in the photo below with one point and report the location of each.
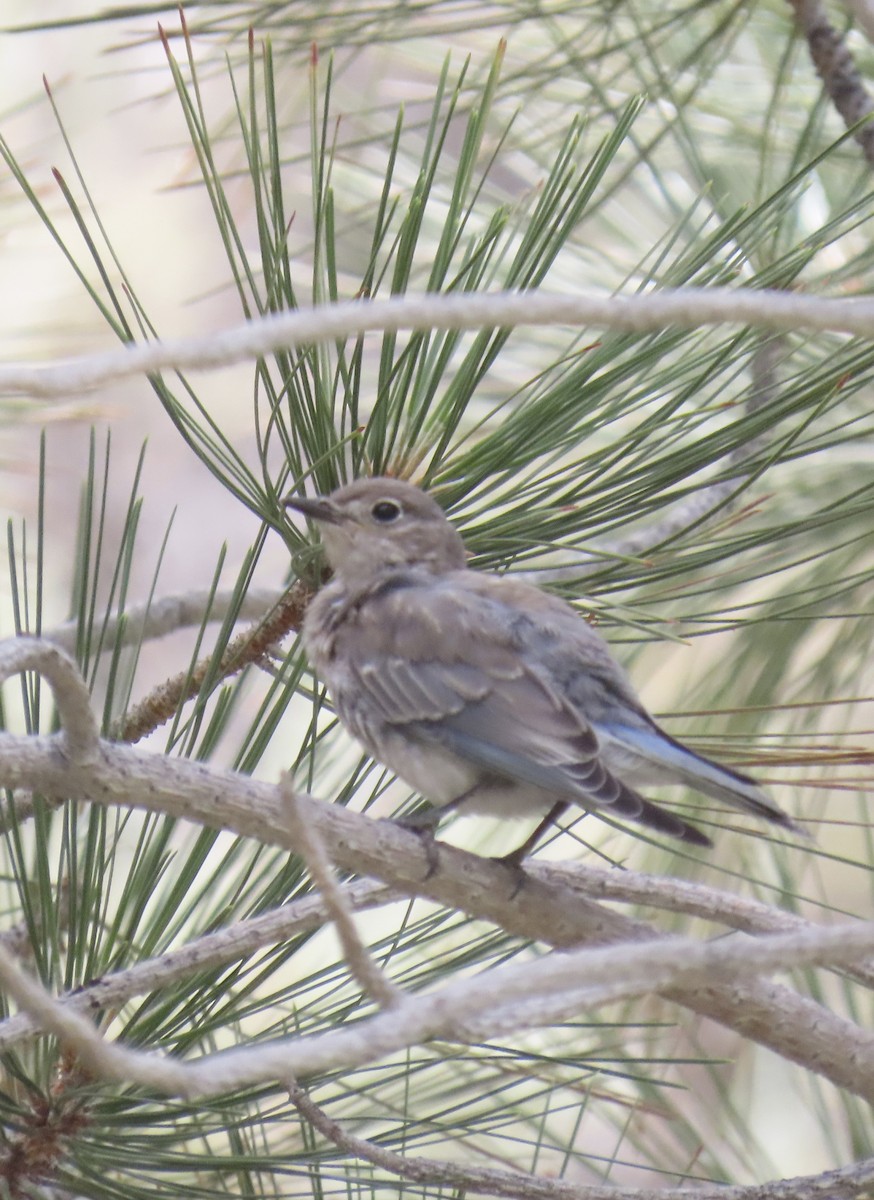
(513, 998)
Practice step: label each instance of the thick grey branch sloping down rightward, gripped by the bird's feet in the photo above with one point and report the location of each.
(776, 1017)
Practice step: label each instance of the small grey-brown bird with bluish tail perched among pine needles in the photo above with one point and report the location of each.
(481, 692)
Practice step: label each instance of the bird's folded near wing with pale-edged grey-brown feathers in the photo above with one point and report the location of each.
(445, 668)
